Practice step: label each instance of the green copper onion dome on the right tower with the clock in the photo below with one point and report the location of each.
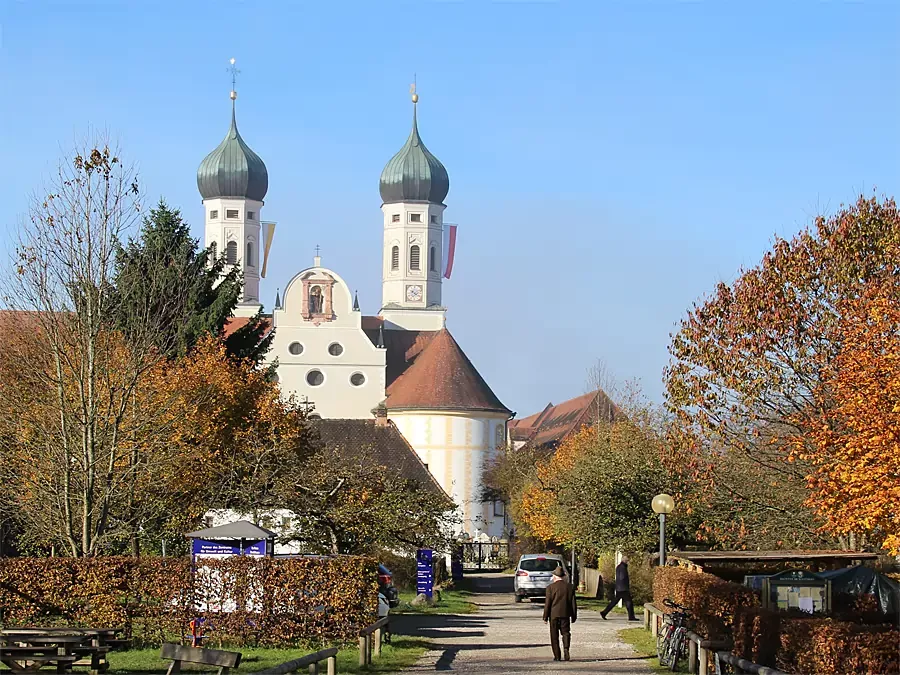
(414, 174)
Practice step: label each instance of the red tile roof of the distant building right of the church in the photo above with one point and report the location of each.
(550, 427)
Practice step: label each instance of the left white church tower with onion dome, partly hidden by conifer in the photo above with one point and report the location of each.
(233, 182)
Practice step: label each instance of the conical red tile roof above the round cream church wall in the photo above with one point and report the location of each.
(440, 377)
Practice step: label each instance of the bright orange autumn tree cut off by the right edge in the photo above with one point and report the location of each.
(853, 447)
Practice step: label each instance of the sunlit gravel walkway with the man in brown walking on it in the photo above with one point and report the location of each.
(506, 638)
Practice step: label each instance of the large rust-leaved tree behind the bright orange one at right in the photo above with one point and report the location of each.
(752, 372)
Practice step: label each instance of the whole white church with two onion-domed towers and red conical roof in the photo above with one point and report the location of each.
(402, 363)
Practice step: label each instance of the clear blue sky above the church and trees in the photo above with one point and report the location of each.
(609, 162)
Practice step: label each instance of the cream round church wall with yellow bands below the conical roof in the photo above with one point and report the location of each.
(456, 447)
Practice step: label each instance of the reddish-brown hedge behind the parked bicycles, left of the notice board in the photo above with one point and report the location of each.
(711, 601)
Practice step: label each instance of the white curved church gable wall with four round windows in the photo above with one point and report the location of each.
(336, 397)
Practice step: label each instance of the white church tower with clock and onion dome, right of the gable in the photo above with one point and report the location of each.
(413, 187)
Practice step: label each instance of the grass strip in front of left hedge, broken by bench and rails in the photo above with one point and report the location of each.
(402, 652)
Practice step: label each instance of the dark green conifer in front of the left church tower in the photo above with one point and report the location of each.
(164, 264)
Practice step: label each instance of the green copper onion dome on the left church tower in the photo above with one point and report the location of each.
(233, 170)
